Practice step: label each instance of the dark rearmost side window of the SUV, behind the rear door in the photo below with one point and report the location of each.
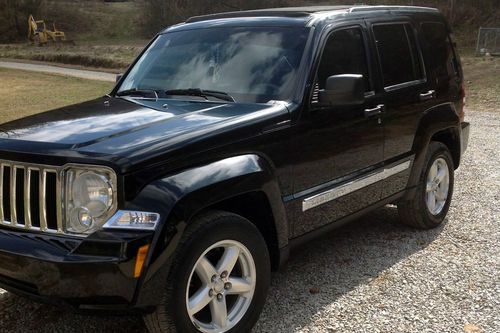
(442, 62)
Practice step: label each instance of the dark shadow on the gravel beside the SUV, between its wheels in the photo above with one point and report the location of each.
(324, 270)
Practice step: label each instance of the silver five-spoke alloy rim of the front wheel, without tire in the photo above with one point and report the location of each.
(221, 287)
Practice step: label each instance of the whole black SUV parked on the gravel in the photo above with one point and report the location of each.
(231, 139)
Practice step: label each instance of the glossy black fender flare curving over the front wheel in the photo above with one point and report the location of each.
(179, 197)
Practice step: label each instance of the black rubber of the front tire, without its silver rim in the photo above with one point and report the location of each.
(224, 228)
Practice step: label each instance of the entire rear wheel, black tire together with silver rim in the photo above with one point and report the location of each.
(419, 211)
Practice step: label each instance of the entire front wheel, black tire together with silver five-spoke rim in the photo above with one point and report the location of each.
(205, 239)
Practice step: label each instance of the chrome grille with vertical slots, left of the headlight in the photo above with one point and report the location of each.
(30, 197)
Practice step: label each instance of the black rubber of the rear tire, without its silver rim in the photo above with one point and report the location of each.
(438, 151)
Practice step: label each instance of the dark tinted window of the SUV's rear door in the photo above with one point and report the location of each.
(398, 53)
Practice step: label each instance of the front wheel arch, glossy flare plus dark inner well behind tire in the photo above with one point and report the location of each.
(245, 185)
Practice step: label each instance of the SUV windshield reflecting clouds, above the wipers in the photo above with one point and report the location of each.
(252, 65)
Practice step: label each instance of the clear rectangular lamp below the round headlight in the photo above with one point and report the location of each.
(126, 219)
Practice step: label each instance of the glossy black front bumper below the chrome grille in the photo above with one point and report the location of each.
(90, 274)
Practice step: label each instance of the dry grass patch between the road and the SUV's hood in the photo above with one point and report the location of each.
(26, 93)
